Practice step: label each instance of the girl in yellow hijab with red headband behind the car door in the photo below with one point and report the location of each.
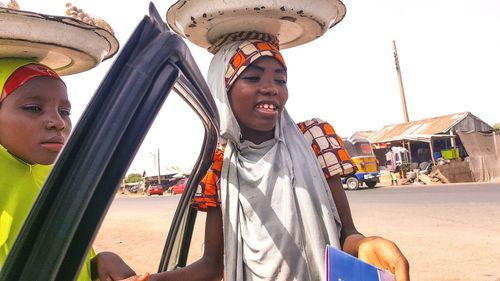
(34, 126)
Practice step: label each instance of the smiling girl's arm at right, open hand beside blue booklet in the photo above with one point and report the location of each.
(375, 250)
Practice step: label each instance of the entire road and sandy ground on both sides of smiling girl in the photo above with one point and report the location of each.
(448, 232)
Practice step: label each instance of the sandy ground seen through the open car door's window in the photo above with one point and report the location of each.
(138, 234)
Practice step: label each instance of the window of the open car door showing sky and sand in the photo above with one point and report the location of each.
(137, 223)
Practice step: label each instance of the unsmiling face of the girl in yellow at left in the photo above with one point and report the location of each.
(34, 120)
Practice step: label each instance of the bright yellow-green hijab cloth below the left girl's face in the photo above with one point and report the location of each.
(20, 184)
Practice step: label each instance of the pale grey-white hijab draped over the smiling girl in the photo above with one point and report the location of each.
(277, 209)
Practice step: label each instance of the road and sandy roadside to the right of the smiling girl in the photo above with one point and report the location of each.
(448, 232)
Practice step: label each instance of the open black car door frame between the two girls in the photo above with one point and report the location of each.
(70, 208)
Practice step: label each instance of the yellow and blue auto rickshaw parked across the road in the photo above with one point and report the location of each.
(362, 155)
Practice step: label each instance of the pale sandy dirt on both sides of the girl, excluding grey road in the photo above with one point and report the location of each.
(138, 237)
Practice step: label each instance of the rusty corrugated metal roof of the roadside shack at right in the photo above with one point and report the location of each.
(429, 126)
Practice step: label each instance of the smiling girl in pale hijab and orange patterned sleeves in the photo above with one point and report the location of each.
(273, 200)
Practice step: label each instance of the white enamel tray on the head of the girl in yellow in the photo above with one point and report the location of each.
(65, 44)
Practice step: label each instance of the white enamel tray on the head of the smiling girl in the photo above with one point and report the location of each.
(295, 22)
